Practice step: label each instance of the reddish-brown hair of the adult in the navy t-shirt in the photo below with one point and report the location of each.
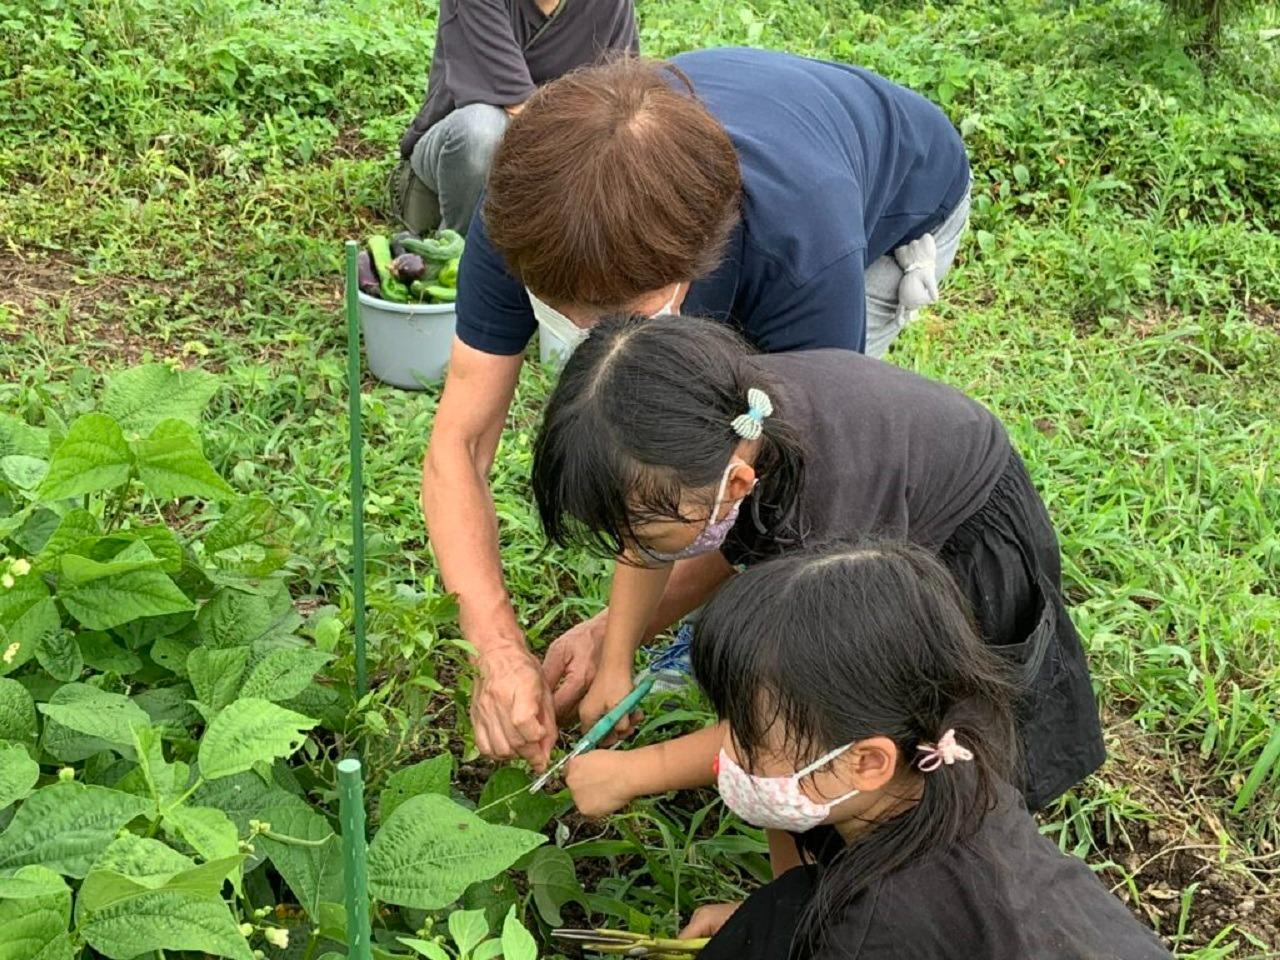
(615, 181)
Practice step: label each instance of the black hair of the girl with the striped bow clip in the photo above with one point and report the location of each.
(643, 413)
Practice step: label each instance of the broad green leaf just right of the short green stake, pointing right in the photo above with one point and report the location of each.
(431, 851)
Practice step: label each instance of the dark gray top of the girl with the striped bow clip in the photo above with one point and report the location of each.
(889, 454)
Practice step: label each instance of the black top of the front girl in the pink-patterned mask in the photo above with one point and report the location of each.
(1008, 894)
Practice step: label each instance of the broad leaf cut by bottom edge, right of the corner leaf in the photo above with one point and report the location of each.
(161, 920)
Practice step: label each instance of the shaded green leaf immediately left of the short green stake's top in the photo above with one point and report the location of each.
(314, 874)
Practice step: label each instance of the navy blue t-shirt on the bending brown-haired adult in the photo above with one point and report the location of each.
(839, 167)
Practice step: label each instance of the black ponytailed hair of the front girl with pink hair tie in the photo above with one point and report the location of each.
(849, 643)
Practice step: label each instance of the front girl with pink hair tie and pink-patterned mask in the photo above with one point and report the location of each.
(861, 711)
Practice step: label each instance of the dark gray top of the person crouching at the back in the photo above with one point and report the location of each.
(496, 52)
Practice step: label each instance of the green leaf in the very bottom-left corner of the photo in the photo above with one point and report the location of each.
(35, 912)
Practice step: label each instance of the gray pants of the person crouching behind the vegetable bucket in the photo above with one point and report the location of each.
(450, 166)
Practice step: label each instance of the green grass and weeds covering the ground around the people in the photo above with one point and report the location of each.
(176, 180)
